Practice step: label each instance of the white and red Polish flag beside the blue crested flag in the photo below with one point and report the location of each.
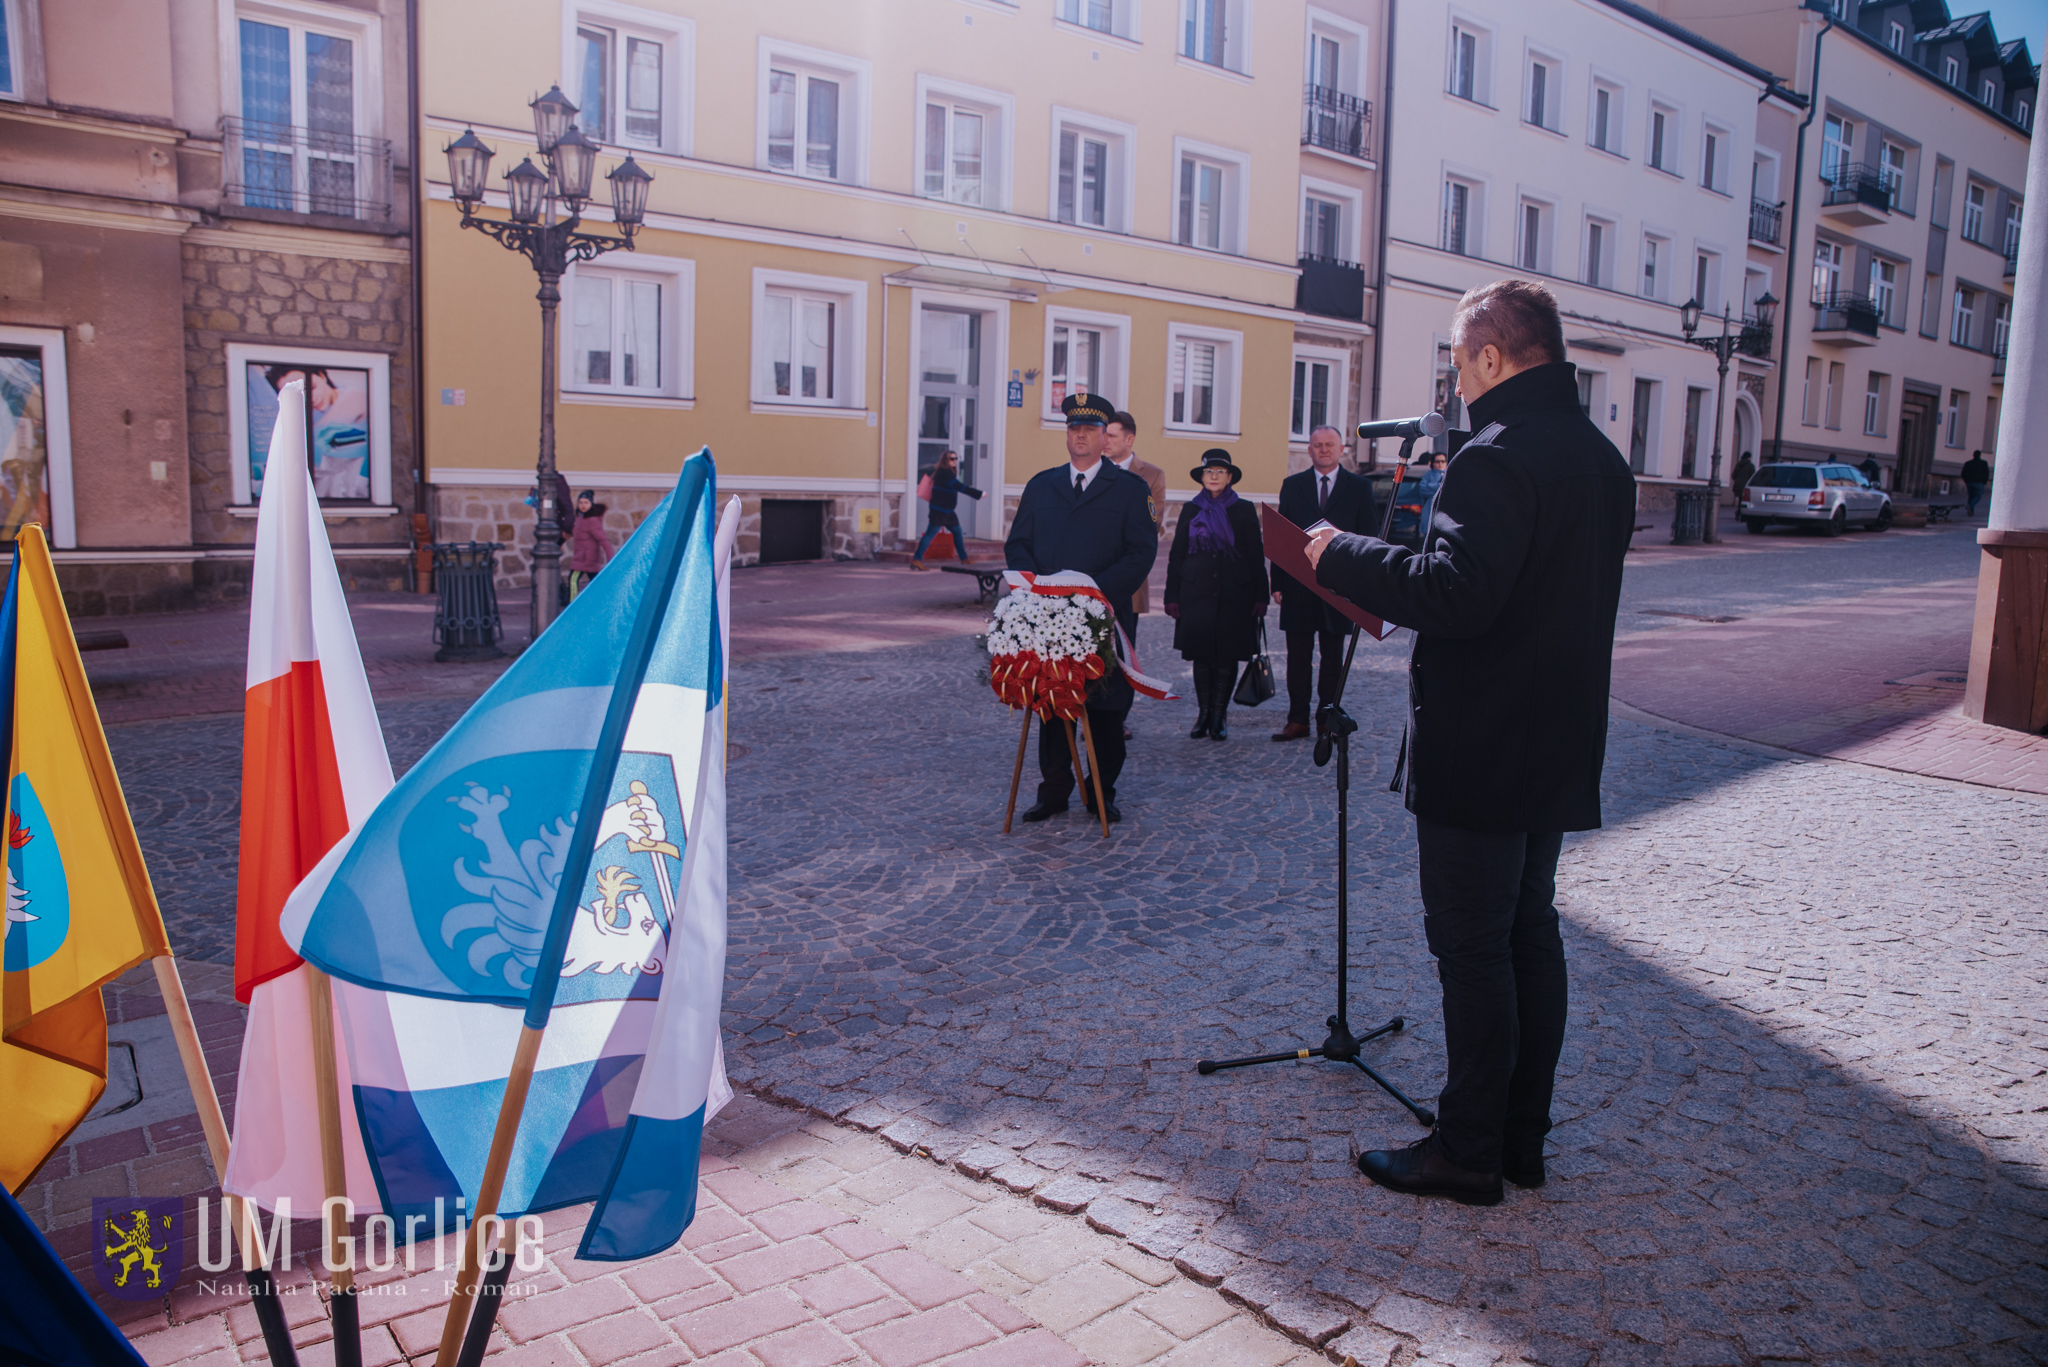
(314, 765)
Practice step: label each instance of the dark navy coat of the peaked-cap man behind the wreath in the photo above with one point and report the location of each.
(1107, 534)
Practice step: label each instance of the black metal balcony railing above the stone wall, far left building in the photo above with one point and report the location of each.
(306, 171)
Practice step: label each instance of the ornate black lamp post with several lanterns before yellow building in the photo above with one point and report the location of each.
(546, 216)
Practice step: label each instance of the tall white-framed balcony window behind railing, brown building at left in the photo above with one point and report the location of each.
(308, 91)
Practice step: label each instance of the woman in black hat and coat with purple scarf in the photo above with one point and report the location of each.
(1215, 587)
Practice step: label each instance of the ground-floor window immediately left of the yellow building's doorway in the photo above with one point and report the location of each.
(810, 337)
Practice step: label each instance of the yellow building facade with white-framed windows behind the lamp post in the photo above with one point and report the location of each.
(876, 231)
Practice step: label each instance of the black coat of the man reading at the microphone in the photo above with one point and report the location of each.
(1512, 604)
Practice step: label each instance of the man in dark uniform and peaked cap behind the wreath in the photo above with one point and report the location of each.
(1086, 515)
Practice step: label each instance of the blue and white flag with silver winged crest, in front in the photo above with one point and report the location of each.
(593, 765)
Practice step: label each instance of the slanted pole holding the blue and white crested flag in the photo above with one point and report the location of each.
(591, 815)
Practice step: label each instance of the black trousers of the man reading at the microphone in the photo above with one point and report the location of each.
(1492, 923)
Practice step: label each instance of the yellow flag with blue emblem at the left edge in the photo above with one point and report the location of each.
(79, 901)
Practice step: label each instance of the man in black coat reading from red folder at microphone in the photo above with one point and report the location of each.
(1512, 602)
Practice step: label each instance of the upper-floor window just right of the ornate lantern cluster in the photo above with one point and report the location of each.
(628, 71)
